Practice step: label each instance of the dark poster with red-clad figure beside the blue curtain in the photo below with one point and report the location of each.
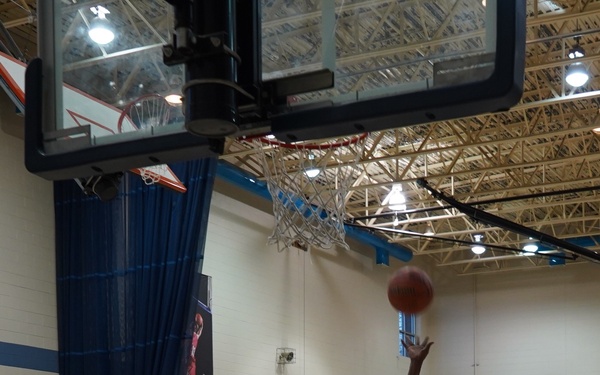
(199, 351)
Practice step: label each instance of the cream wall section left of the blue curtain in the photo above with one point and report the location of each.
(27, 271)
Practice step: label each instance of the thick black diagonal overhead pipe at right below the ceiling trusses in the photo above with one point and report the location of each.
(489, 219)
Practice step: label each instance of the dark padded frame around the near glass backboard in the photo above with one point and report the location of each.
(499, 92)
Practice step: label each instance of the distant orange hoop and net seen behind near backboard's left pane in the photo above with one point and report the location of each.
(145, 114)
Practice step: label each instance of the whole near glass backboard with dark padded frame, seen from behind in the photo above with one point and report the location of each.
(300, 70)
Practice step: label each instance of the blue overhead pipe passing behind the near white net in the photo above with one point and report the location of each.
(383, 249)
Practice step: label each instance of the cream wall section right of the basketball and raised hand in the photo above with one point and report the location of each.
(542, 322)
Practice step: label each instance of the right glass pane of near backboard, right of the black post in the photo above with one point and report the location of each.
(379, 47)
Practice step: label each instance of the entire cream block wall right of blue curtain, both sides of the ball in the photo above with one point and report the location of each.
(331, 307)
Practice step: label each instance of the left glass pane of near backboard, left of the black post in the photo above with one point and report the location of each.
(119, 86)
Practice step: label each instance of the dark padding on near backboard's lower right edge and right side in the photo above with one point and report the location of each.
(502, 90)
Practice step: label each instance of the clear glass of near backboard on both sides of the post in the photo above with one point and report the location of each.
(374, 47)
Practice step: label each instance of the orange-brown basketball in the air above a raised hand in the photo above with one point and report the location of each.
(410, 290)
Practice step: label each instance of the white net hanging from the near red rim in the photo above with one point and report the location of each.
(309, 209)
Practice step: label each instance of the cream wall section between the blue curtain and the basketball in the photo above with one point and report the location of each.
(330, 306)
